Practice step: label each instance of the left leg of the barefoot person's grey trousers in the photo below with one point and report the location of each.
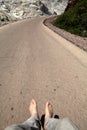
(31, 124)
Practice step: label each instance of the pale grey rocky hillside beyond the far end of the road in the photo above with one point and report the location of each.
(12, 10)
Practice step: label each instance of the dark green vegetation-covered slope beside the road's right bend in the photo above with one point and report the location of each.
(74, 20)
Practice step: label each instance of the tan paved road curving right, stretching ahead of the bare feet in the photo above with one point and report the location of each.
(37, 63)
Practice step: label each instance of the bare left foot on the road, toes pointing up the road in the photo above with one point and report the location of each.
(33, 108)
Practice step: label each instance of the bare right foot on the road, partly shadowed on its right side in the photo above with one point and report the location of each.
(48, 110)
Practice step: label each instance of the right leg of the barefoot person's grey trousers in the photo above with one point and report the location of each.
(60, 124)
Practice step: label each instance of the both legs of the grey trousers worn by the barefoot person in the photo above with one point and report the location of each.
(51, 124)
